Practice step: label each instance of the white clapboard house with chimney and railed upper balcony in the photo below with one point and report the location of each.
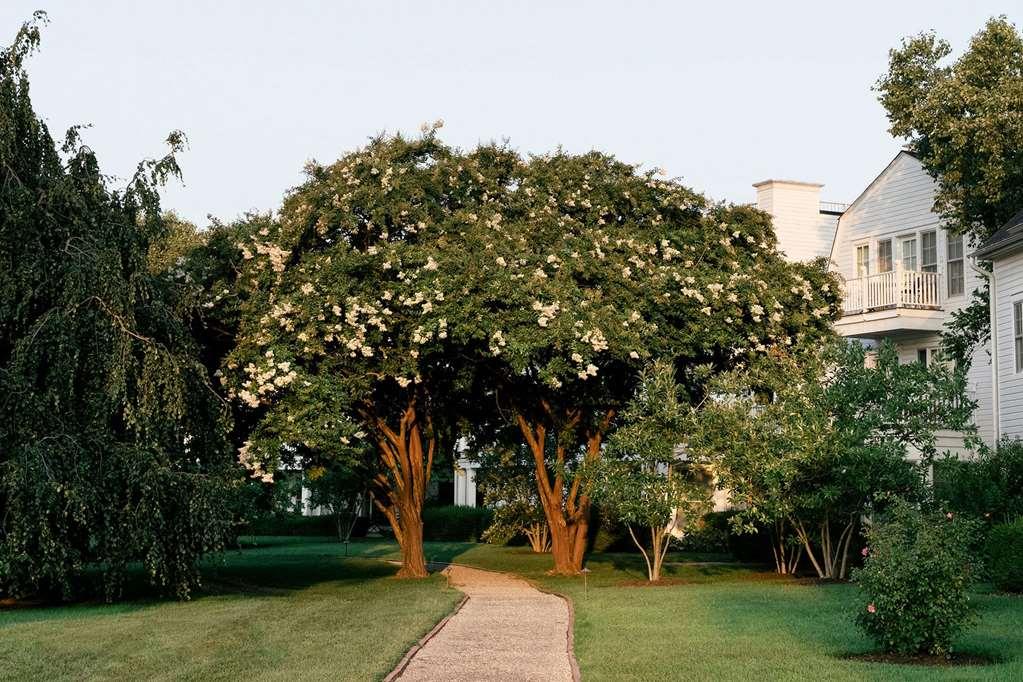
(904, 275)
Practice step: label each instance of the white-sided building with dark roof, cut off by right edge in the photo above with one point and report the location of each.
(1005, 252)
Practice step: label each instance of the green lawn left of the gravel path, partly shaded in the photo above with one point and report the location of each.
(296, 611)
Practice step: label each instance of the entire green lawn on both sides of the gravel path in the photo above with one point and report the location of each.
(300, 609)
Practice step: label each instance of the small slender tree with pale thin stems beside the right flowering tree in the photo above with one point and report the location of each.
(646, 481)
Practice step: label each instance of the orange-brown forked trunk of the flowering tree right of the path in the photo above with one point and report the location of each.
(567, 512)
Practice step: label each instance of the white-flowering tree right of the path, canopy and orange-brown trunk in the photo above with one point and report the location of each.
(584, 274)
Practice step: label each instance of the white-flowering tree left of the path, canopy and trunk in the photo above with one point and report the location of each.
(344, 349)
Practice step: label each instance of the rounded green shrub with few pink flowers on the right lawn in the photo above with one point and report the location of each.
(915, 579)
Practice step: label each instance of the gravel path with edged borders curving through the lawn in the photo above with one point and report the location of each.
(507, 630)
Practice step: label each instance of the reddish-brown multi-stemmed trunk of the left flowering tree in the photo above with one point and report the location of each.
(408, 472)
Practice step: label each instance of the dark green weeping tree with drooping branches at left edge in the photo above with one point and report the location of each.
(112, 442)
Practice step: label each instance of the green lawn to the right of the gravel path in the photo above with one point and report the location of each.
(731, 623)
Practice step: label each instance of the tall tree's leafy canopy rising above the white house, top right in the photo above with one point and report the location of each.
(962, 119)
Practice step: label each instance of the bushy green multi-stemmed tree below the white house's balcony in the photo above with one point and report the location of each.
(807, 444)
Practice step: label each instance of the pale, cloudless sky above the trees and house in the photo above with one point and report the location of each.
(720, 95)
